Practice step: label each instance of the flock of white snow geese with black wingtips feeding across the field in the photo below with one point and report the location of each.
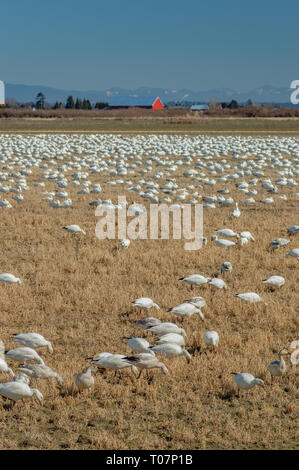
(70, 160)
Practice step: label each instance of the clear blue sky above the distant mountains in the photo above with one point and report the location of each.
(200, 45)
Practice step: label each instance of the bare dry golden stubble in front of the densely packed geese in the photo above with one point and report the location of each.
(77, 292)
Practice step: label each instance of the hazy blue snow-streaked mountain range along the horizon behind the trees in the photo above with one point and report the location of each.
(144, 95)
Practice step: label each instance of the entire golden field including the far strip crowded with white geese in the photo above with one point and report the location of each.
(77, 290)
